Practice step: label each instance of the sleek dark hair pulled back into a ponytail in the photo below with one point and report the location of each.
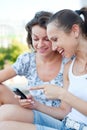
(66, 18)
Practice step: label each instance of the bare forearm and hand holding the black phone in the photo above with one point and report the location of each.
(55, 112)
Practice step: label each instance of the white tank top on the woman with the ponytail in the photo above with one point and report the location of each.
(78, 87)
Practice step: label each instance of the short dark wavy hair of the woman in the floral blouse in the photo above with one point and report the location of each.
(41, 18)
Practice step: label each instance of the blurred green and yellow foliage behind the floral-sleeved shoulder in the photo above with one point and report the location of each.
(10, 54)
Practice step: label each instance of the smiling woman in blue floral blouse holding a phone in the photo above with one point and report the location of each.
(42, 66)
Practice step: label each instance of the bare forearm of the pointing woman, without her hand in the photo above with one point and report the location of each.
(75, 102)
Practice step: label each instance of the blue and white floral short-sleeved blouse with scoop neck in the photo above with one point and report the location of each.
(25, 65)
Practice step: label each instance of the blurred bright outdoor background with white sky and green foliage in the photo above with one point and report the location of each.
(14, 14)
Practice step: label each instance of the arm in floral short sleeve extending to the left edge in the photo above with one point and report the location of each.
(18, 67)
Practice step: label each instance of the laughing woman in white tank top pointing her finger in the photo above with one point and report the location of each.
(68, 34)
